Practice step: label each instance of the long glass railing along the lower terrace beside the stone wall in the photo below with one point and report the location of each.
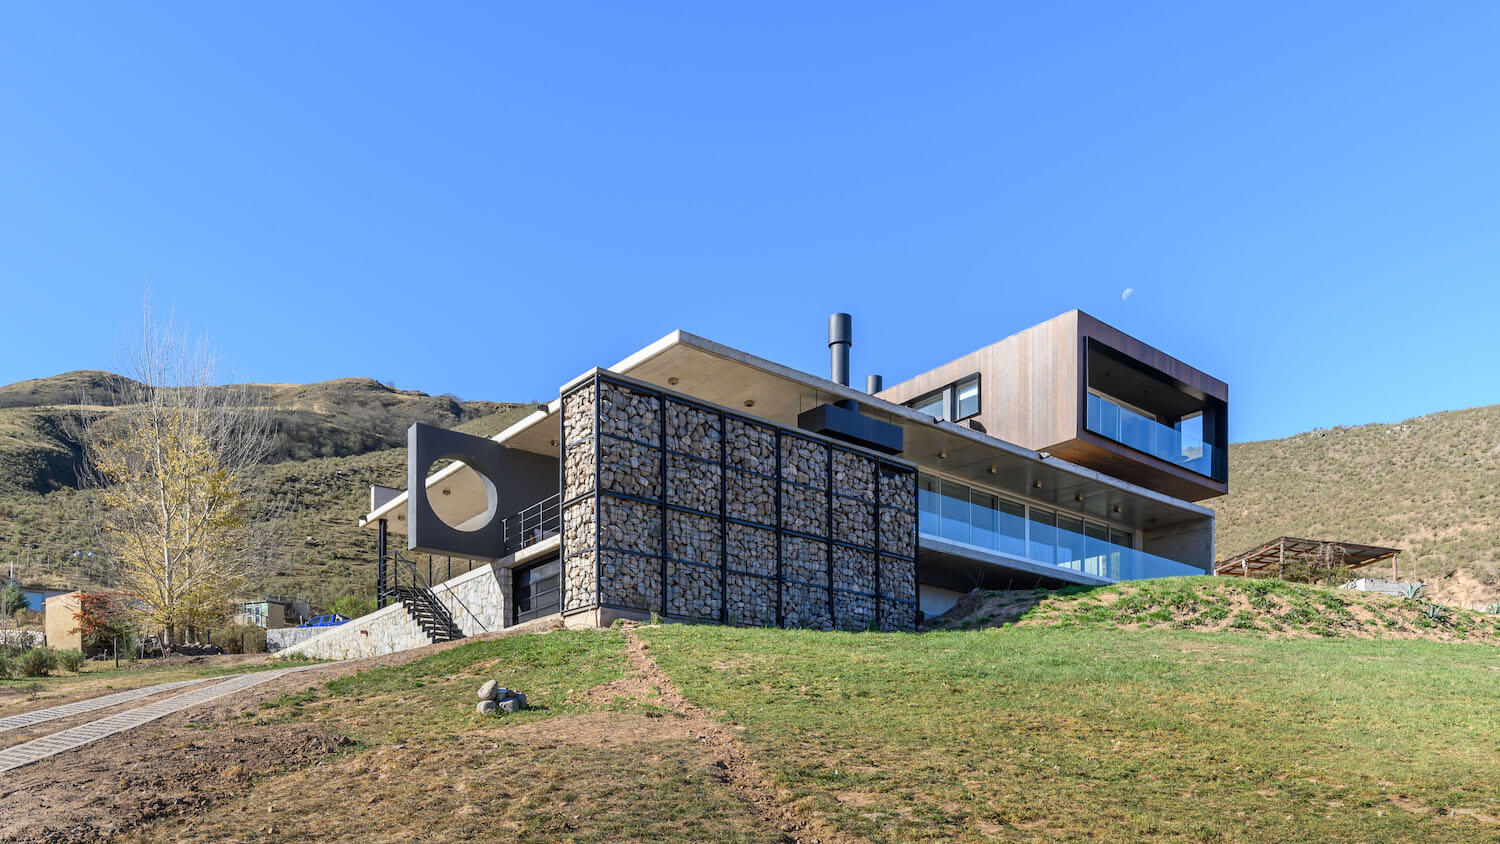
(956, 513)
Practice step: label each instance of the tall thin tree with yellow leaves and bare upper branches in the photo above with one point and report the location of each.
(172, 461)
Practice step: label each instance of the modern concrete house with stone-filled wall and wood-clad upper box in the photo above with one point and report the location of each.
(703, 483)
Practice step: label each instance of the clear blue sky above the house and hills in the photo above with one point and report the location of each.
(487, 199)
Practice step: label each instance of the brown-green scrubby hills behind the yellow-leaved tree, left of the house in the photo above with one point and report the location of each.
(334, 440)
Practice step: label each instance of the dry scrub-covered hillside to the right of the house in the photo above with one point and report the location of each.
(1429, 485)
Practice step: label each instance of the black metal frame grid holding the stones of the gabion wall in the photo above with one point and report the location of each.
(665, 507)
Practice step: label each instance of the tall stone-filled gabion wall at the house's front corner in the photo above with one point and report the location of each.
(697, 513)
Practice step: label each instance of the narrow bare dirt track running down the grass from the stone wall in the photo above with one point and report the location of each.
(743, 773)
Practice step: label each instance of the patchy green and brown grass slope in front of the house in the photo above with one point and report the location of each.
(1024, 734)
